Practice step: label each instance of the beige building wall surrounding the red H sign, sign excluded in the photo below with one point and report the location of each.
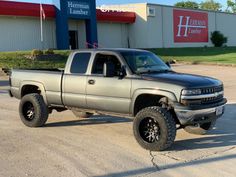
(157, 32)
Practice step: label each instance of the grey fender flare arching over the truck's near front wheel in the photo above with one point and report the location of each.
(139, 92)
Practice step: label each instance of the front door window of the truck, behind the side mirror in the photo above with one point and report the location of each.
(99, 61)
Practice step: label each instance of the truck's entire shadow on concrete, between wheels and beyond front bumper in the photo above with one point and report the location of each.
(223, 135)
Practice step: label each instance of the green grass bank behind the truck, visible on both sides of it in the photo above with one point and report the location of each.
(213, 55)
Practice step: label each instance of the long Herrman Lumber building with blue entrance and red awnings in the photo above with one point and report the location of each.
(78, 24)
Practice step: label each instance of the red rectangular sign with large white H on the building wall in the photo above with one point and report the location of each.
(190, 26)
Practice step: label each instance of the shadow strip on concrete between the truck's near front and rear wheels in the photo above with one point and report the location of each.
(94, 120)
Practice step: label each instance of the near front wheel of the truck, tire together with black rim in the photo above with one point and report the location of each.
(154, 128)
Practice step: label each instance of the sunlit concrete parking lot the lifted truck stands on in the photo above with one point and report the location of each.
(105, 146)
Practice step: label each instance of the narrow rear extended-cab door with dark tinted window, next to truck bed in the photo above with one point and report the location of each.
(75, 80)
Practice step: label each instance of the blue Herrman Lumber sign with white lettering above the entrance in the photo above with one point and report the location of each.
(76, 8)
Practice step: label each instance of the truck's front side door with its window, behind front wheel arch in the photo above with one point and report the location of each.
(110, 94)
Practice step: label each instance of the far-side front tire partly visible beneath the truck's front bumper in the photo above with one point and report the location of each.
(200, 129)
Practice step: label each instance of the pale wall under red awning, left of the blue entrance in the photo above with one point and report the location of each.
(23, 33)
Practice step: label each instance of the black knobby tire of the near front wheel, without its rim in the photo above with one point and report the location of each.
(166, 124)
